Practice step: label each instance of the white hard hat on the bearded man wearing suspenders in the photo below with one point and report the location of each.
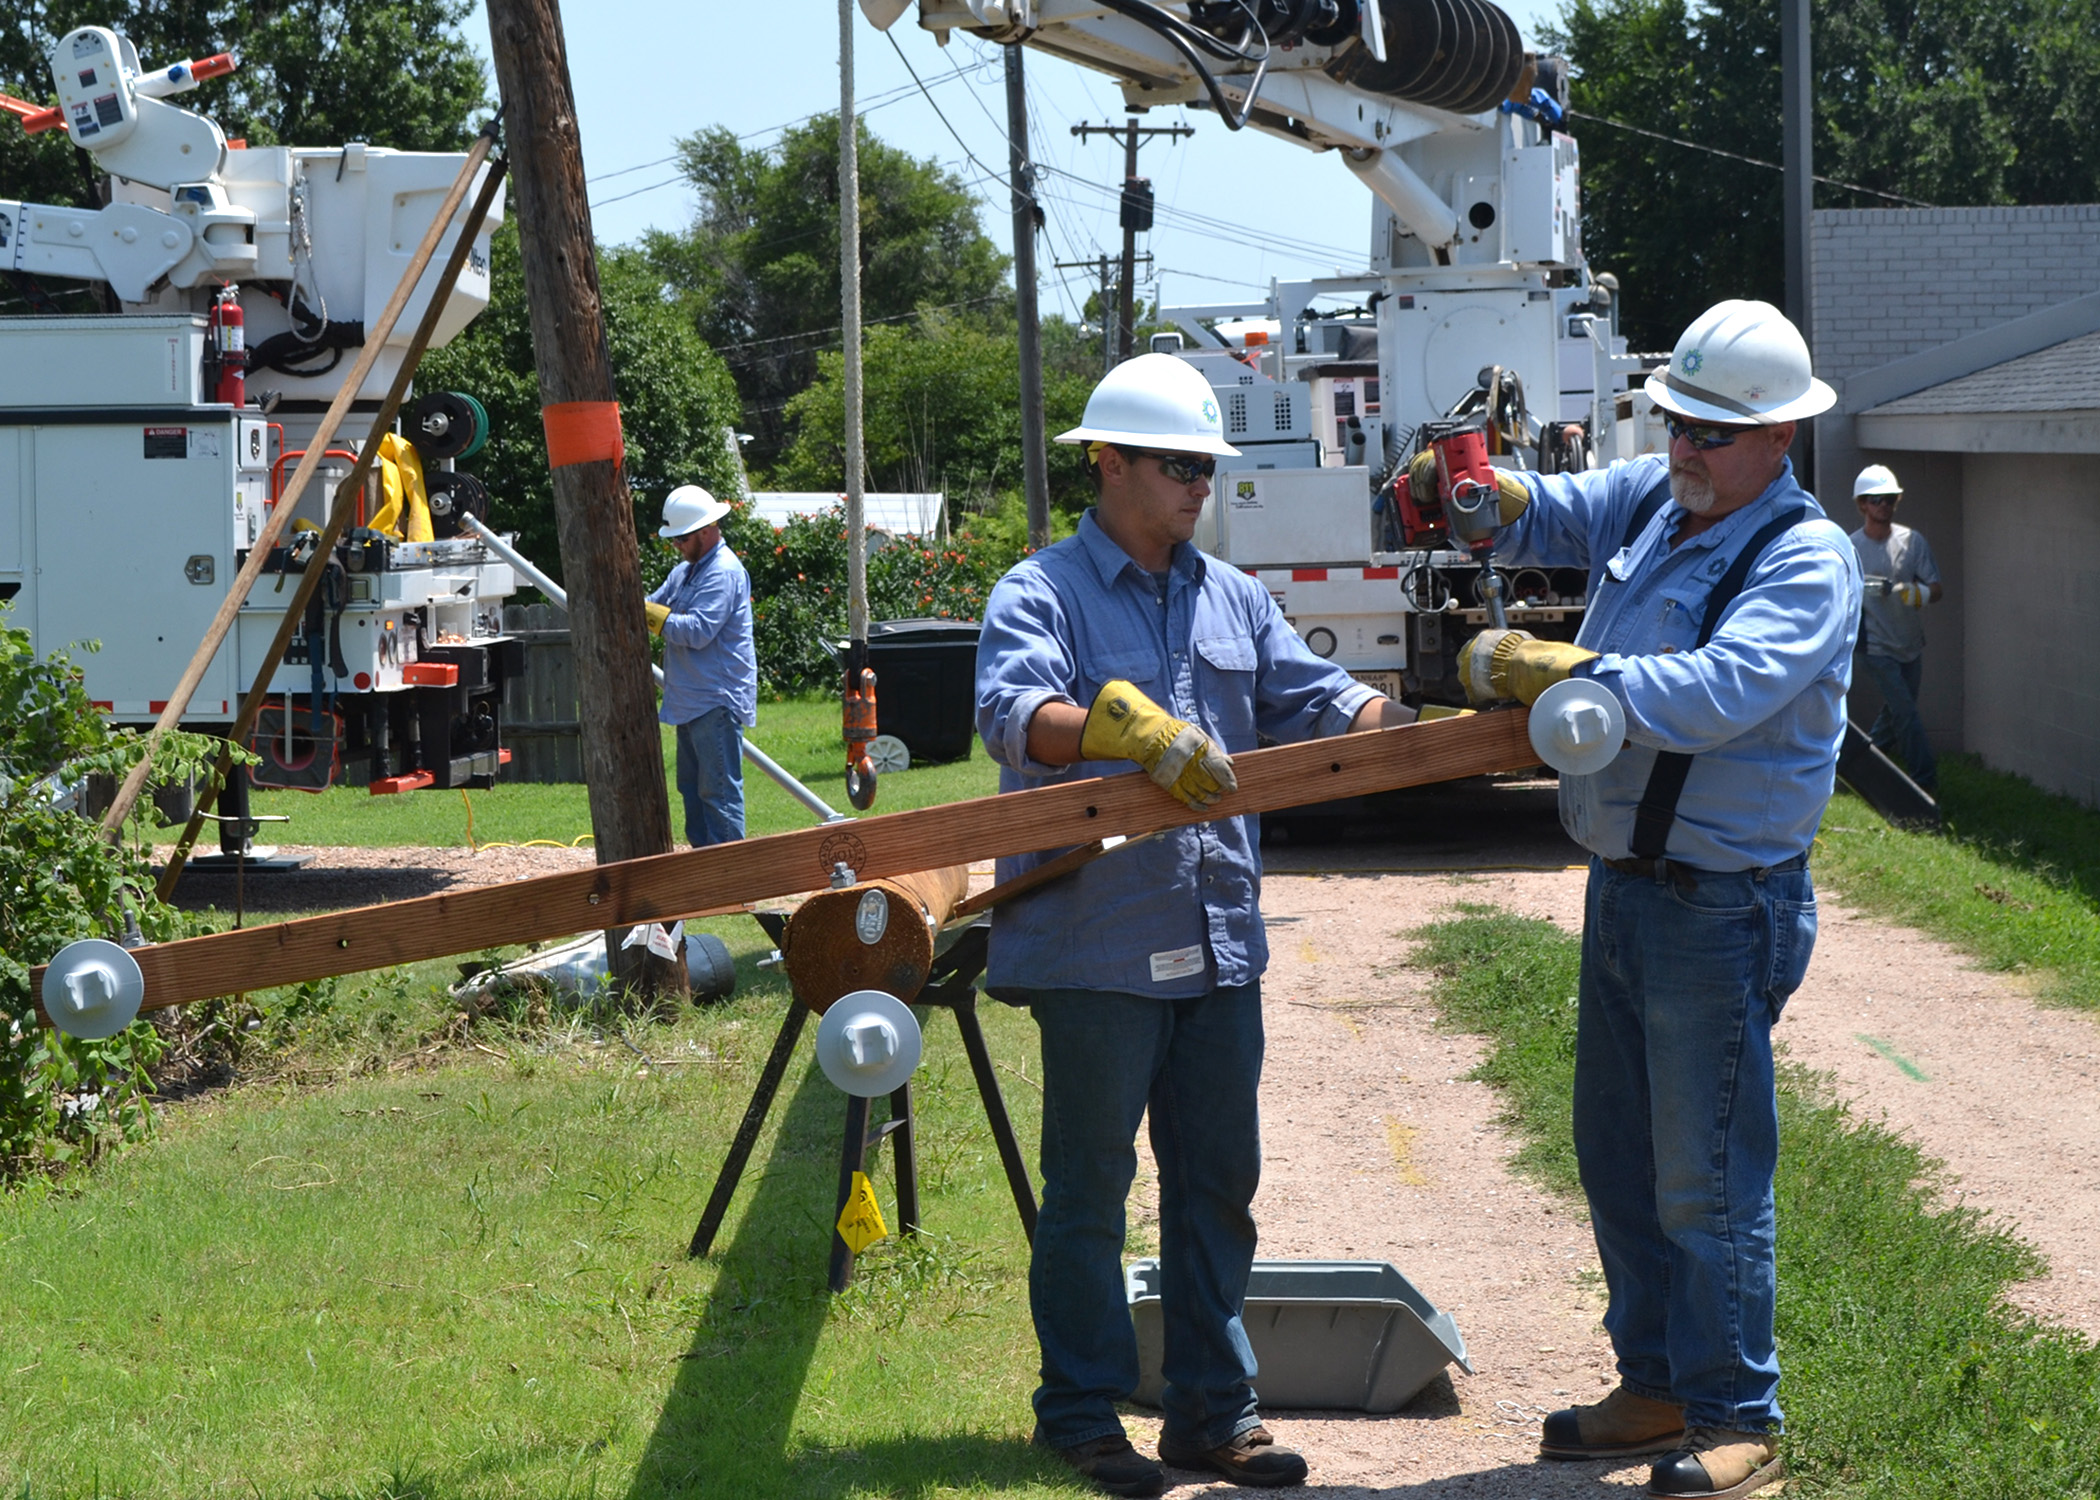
(1742, 362)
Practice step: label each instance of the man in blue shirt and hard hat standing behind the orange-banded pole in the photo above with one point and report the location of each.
(711, 669)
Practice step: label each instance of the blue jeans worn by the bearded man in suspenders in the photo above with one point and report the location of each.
(1677, 1125)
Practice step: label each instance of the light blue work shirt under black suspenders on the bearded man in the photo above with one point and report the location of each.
(1761, 705)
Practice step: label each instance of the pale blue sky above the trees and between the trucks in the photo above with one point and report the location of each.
(1234, 209)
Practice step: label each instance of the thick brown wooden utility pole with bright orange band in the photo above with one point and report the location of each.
(593, 514)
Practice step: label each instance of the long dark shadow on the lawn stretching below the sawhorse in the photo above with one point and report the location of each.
(728, 1425)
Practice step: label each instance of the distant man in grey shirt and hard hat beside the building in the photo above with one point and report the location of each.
(1902, 581)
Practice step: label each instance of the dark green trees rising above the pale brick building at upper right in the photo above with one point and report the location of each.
(1944, 102)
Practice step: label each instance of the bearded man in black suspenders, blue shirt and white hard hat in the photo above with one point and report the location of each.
(1700, 915)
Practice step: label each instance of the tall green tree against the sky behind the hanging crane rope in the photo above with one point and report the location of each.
(759, 266)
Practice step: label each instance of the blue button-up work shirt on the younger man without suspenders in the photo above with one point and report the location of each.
(1175, 915)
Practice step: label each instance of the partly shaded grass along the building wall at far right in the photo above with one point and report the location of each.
(2015, 881)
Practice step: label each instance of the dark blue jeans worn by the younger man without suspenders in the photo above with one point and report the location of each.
(1198, 1066)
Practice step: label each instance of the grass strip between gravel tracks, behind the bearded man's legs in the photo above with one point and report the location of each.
(1908, 1377)
